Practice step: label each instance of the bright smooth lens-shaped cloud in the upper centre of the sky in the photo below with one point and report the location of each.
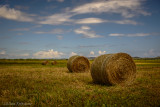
(90, 21)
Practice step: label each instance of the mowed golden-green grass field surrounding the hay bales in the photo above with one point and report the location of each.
(27, 82)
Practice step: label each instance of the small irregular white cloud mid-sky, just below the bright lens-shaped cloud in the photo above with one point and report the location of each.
(87, 33)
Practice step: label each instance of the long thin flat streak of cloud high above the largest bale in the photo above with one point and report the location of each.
(131, 35)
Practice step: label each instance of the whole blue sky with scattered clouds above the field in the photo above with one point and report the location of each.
(62, 28)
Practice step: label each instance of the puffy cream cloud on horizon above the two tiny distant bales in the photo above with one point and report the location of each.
(48, 54)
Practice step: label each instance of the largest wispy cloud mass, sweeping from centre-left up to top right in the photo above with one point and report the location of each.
(126, 9)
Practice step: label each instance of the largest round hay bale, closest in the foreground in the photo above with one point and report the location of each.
(112, 69)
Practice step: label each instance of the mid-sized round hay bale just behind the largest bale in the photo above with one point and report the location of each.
(78, 64)
